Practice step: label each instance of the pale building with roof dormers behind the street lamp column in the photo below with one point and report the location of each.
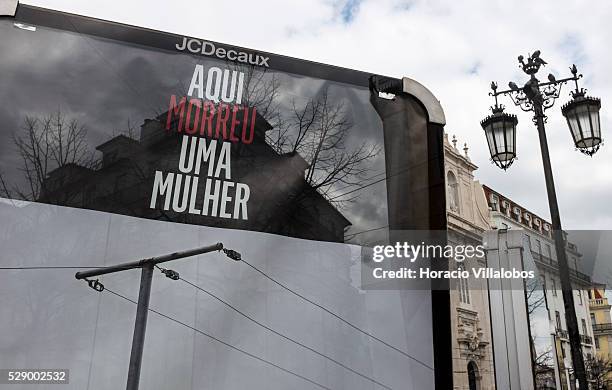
(507, 214)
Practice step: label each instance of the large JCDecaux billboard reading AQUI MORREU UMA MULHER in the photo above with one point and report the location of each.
(121, 143)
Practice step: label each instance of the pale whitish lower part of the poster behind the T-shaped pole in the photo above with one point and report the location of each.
(49, 319)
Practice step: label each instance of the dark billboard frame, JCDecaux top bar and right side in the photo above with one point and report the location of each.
(409, 90)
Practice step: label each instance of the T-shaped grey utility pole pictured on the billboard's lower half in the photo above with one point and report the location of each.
(144, 294)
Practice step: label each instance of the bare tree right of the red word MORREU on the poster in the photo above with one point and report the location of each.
(317, 131)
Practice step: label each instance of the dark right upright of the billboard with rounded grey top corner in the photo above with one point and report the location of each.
(414, 151)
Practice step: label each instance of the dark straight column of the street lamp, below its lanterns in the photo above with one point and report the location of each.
(566, 287)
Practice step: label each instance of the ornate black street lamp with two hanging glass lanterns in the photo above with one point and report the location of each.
(582, 114)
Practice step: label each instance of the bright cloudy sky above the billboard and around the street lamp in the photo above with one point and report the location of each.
(455, 48)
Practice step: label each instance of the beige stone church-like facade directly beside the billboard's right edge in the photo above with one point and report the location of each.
(468, 218)
